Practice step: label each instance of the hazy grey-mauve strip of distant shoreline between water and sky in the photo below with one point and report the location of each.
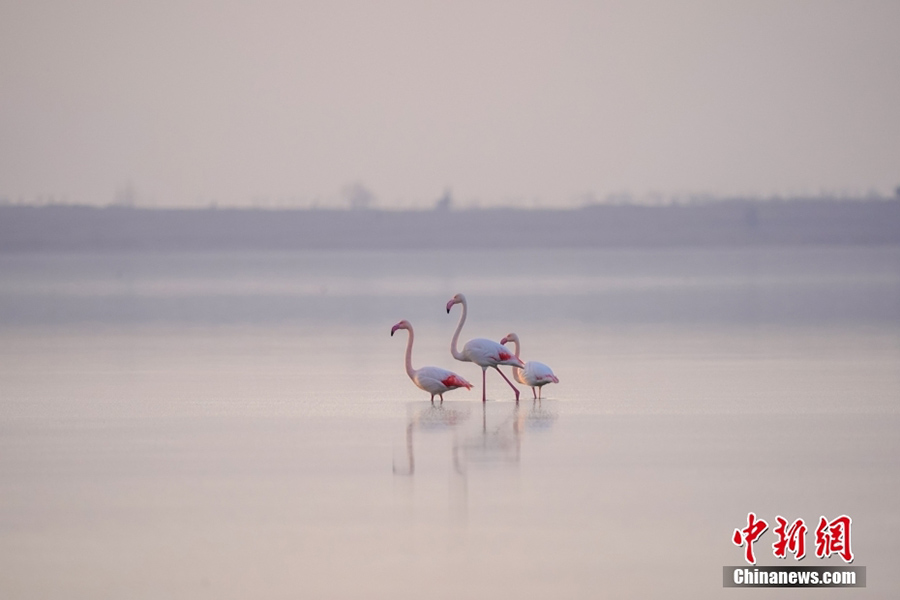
(61, 228)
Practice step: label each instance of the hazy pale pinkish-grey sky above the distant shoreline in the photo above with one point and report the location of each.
(505, 102)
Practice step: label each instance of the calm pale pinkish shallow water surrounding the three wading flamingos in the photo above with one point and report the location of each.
(226, 425)
